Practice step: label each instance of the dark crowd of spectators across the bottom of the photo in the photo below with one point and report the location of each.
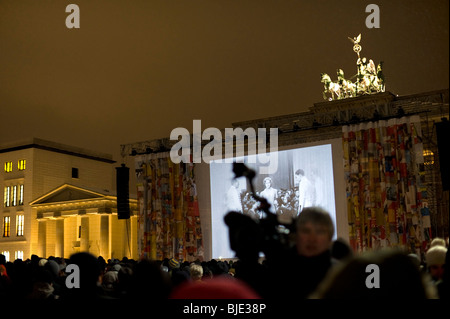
(317, 267)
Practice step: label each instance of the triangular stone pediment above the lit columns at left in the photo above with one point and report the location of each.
(66, 193)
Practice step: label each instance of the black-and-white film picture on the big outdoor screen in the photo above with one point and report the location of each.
(303, 178)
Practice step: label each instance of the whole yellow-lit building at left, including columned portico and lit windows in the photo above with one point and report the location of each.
(57, 200)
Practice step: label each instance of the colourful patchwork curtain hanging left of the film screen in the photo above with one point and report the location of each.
(169, 220)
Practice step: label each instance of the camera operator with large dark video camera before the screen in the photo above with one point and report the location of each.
(297, 255)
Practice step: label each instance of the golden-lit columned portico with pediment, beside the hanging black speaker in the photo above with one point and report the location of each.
(73, 219)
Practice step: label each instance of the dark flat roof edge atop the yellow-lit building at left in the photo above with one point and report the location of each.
(56, 147)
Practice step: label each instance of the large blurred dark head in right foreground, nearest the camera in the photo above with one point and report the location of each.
(398, 277)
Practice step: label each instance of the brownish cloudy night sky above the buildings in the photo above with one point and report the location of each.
(135, 70)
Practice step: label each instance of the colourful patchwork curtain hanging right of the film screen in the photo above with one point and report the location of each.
(386, 197)
